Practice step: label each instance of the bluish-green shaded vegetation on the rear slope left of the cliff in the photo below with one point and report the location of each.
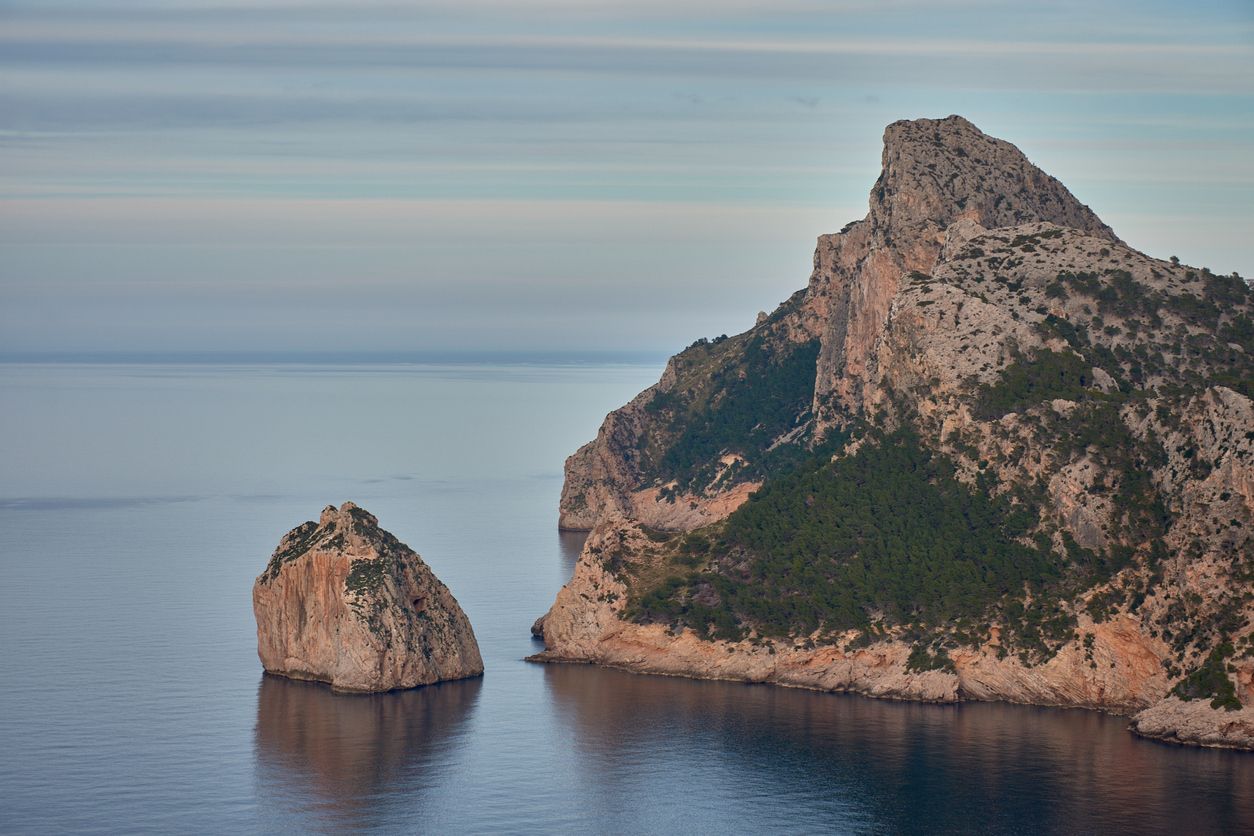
(754, 402)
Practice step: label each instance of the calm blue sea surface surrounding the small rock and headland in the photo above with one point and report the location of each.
(139, 503)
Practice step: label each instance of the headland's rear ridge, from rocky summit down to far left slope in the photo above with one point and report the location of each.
(646, 461)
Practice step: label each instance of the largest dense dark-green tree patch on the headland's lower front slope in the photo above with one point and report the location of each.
(887, 533)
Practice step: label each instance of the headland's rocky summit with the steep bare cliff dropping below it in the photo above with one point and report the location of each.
(936, 174)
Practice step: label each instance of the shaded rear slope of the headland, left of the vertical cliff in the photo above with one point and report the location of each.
(660, 459)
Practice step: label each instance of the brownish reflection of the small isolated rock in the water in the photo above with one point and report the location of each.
(339, 758)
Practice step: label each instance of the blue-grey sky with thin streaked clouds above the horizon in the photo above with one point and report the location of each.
(576, 176)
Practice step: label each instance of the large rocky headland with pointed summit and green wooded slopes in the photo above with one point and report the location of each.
(990, 453)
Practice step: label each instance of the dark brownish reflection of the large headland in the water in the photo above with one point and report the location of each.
(850, 764)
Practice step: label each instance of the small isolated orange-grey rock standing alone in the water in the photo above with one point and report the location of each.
(347, 603)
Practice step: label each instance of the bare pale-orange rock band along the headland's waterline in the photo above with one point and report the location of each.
(1119, 672)
